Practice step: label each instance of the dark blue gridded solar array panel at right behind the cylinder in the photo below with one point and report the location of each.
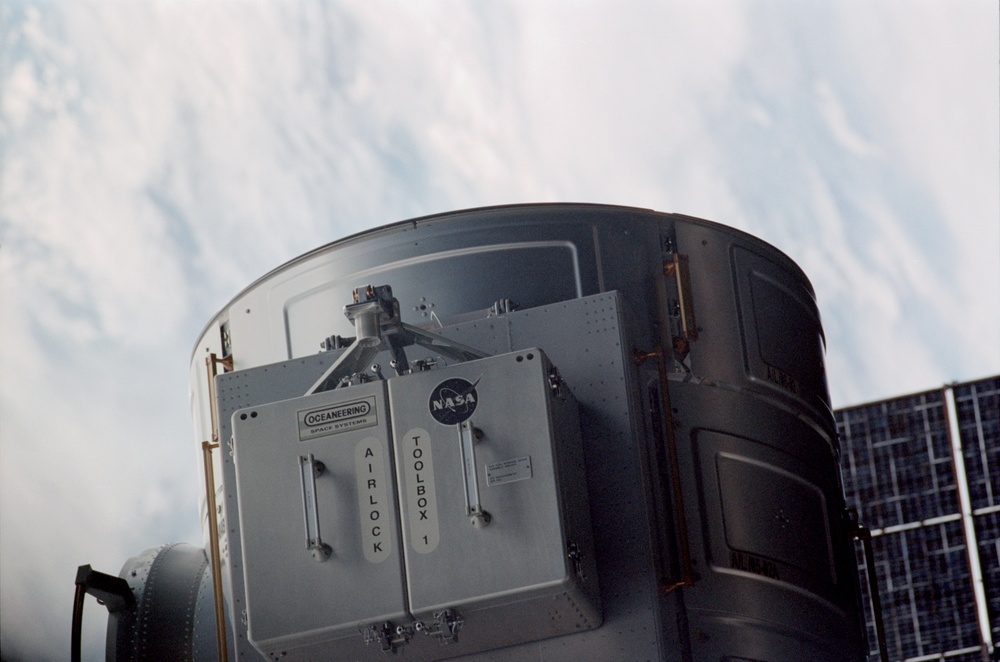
(899, 473)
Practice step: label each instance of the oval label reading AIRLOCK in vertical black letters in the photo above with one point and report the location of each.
(373, 500)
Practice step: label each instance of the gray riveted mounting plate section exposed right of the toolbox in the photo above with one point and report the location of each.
(587, 340)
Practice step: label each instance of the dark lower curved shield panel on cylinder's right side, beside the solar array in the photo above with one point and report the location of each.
(774, 553)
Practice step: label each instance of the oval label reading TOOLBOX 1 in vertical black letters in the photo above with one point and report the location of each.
(421, 500)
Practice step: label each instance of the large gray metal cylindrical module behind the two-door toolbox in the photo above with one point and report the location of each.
(696, 356)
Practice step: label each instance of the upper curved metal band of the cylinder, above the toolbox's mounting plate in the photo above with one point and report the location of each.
(457, 263)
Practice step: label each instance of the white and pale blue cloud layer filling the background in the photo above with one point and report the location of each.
(156, 157)
